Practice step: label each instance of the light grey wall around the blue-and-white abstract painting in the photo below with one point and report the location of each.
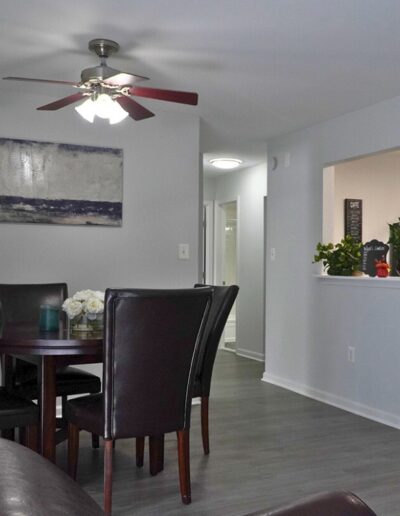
(160, 203)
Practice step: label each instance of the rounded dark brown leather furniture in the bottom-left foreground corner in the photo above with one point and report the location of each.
(32, 486)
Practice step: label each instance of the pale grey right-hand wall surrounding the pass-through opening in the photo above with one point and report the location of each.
(311, 321)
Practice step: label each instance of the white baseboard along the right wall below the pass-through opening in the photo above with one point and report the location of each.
(343, 403)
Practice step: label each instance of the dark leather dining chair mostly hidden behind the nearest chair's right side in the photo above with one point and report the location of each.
(223, 299)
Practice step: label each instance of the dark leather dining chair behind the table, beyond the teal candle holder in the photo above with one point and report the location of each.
(20, 303)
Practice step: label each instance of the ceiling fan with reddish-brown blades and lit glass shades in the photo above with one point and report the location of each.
(107, 92)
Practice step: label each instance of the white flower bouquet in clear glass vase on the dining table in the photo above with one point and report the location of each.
(84, 307)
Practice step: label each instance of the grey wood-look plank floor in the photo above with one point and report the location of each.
(268, 446)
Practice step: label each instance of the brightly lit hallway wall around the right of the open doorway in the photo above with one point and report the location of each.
(249, 186)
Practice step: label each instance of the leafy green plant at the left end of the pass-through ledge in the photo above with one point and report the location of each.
(340, 259)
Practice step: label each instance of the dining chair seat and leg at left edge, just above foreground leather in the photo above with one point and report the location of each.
(17, 412)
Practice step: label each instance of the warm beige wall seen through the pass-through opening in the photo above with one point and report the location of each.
(375, 180)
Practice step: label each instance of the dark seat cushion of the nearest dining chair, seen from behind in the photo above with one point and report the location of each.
(87, 412)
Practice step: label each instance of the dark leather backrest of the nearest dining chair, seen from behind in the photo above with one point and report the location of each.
(151, 345)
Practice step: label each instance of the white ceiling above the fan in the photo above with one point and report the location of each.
(261, 67)
